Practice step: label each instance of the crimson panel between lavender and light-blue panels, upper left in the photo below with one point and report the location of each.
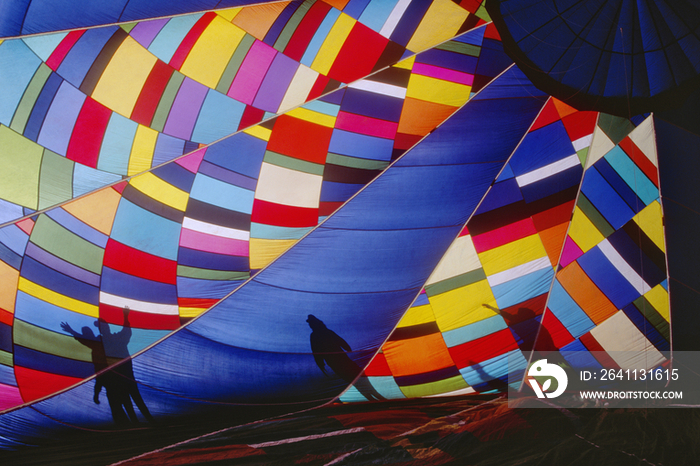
(89, 130)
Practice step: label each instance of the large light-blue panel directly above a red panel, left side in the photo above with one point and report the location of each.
(145, 231)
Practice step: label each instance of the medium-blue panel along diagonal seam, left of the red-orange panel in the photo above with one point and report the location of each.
(240, 153)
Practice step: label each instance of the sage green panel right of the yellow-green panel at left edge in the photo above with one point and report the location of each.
(56, 180)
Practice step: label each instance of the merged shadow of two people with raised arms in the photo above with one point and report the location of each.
(119, 382)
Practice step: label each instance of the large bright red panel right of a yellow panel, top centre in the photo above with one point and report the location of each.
(359, 54)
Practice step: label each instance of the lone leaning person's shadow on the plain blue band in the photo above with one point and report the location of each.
(330, 349)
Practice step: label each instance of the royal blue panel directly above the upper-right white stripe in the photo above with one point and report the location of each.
(542, 147)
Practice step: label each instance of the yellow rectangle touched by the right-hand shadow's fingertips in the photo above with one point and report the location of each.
(463, 306)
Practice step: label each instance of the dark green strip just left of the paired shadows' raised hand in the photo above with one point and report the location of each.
(49, 342)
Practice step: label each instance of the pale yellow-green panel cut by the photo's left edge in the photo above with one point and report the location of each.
(21, 163)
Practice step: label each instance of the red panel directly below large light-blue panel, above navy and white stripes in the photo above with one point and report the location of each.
(139, 264)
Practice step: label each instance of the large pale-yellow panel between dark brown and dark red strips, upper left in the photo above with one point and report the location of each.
(123, 79)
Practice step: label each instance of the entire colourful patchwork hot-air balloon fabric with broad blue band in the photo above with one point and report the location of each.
(296, 203)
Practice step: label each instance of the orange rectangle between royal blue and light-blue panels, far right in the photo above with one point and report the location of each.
(586, 294)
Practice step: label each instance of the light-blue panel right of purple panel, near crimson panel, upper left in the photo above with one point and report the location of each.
(218, 117)
